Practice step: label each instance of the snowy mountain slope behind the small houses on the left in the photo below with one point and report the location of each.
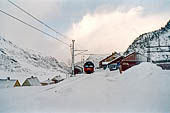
(15, 61)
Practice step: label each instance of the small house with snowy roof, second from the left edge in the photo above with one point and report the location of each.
(33, 81)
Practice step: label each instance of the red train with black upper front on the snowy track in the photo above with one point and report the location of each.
(89, 67)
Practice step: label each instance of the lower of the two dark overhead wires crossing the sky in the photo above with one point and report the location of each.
(33, 27)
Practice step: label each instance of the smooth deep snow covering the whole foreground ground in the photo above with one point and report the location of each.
(143, 88)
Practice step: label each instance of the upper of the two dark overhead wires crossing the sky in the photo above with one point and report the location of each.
(37, 19)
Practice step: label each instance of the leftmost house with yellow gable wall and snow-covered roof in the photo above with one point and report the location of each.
(9, 83)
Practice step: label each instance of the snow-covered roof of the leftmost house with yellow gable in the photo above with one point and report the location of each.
(5, 83)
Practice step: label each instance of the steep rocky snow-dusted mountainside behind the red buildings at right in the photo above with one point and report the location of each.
(159, 37)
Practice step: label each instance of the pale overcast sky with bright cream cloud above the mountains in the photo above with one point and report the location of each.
(101, 26)
